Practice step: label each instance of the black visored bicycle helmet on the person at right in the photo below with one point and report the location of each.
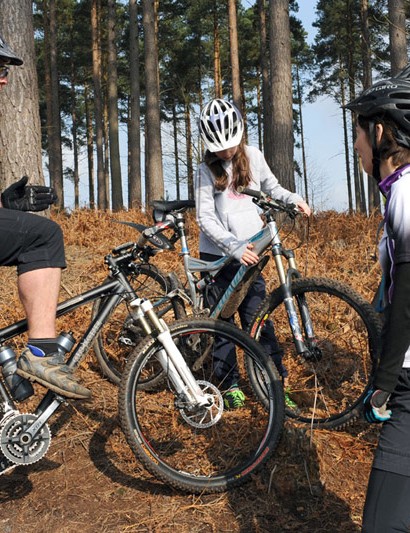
(388, 98)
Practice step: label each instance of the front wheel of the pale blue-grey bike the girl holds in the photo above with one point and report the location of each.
(328, 389)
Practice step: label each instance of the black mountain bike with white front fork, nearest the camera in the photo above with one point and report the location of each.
(180, 429)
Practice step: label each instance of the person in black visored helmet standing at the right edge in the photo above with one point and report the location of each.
(383, 143)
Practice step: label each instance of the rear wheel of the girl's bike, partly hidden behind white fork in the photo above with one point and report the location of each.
(120, 334)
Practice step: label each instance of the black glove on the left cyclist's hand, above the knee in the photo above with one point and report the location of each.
(24, 197)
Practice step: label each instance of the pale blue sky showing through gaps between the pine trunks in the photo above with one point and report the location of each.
(323, 129)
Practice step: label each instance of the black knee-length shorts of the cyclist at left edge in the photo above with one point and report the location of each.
(30, 241)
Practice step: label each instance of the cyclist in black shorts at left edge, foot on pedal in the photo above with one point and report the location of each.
(35, 246)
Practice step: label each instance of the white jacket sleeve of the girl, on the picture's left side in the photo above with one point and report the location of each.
(208, 220)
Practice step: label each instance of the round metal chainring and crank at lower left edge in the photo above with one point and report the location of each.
(18, 445)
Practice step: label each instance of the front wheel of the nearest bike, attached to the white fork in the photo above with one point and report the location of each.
(206, 449)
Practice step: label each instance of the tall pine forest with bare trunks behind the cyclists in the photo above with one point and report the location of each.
(116, 73)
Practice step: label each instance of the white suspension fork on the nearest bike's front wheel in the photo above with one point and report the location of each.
(170, 358)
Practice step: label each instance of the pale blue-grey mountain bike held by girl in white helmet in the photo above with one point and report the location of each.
(329, 334)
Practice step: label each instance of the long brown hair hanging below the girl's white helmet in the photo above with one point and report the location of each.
(241, 172)
